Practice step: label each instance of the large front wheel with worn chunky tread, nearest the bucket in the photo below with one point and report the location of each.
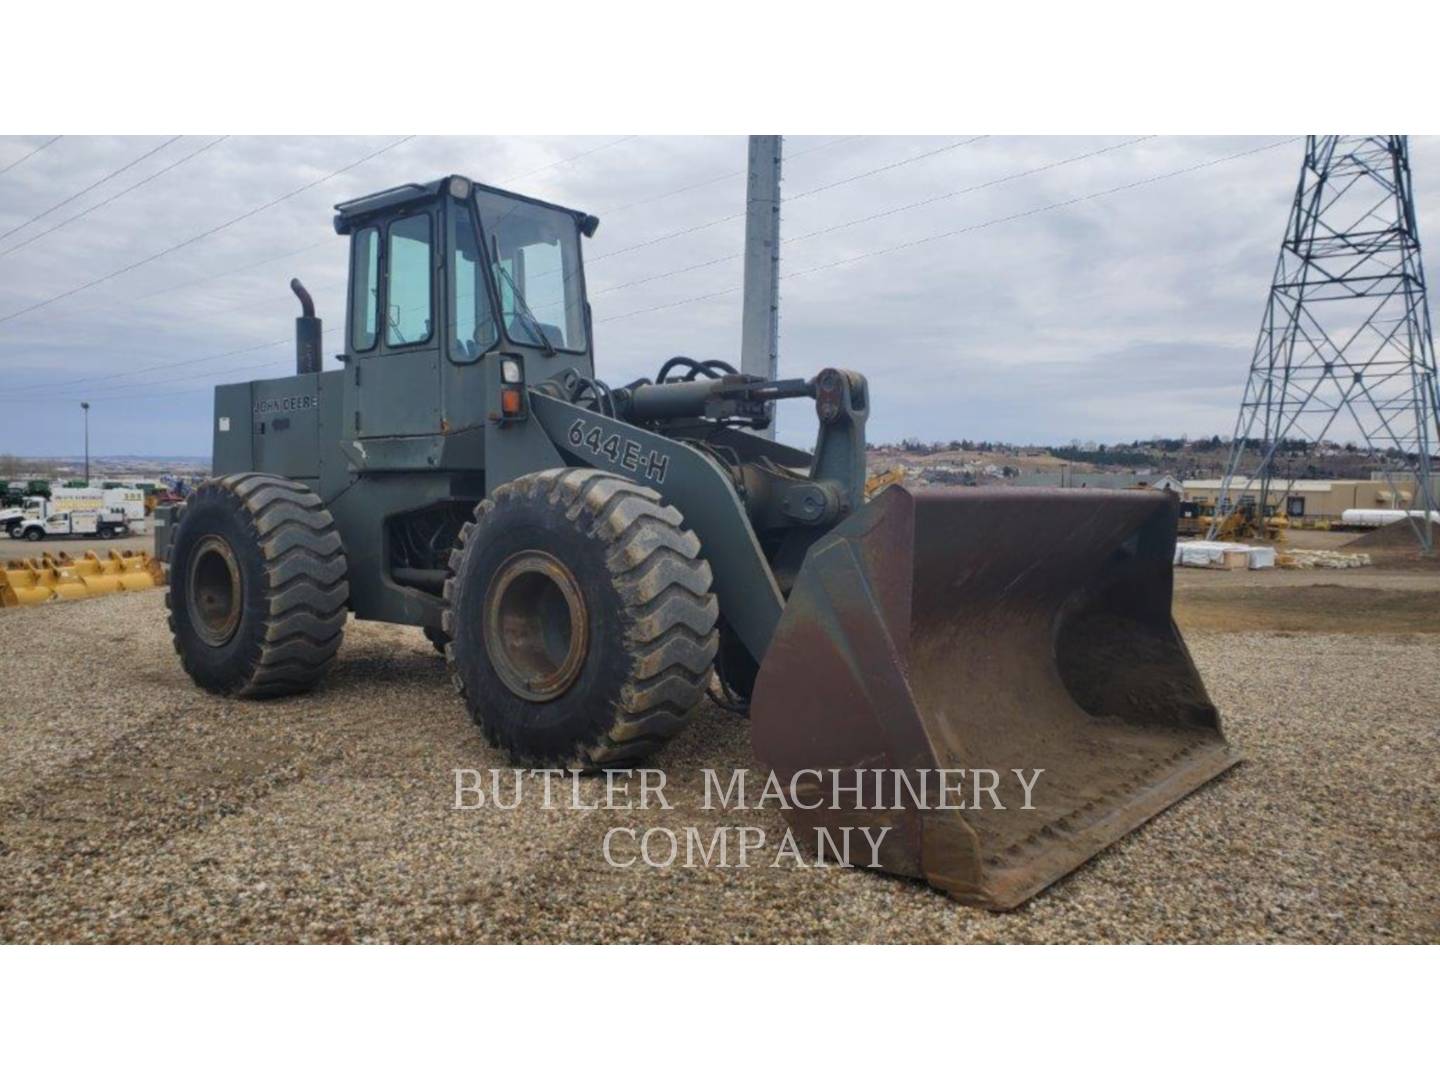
(601, 621)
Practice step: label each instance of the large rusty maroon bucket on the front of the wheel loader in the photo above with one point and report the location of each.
(989, 630)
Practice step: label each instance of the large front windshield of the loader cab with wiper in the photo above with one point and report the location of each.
(535, 256)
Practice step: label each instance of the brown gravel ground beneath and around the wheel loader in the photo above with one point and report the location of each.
(138, 809)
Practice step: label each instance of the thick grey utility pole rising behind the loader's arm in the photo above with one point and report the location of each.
(761, 322)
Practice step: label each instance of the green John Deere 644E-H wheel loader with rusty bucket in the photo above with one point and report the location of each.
(593, 559)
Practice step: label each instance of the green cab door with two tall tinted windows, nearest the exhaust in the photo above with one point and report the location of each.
(395, 345)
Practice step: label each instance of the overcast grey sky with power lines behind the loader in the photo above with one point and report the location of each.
(1117, 318)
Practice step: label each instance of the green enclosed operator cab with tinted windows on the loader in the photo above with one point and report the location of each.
(444, 276)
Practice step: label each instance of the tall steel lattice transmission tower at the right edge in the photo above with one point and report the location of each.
(1346, 351)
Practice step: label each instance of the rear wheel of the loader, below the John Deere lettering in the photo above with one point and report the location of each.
(258, 587)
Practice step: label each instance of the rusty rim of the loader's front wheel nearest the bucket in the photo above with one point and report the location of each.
(536, 626)
